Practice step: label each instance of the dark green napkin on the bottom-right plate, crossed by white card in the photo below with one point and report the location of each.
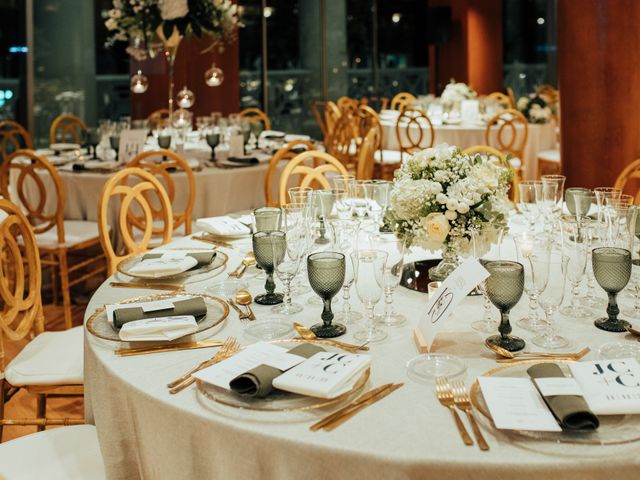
(571, 411)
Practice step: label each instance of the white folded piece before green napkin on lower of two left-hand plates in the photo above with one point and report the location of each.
(158, 328)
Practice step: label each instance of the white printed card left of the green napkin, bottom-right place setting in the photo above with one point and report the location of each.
(516, 404)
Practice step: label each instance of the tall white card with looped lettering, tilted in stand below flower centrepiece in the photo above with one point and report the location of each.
(451, 292)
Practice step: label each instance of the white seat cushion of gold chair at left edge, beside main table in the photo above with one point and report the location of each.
(52, 358)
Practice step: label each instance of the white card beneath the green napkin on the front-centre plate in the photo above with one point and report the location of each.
(260, 353)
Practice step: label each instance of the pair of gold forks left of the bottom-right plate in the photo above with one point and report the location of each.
(454, 395)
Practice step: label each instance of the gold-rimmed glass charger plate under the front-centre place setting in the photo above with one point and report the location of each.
(279, 400)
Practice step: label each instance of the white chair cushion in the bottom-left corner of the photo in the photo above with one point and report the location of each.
(66, 453)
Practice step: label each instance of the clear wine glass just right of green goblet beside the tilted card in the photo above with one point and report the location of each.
(551, 297)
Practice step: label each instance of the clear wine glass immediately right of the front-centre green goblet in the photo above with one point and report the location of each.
(395, 249)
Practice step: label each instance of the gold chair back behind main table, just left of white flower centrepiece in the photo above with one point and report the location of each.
(310, 176)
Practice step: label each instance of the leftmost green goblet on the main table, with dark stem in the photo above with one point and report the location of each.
(269, 249)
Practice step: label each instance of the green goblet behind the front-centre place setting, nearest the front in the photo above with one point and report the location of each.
(326, 276)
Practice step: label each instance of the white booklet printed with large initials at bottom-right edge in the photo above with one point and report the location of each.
(610, 387)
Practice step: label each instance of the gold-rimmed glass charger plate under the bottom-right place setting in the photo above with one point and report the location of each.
(613, 429)
